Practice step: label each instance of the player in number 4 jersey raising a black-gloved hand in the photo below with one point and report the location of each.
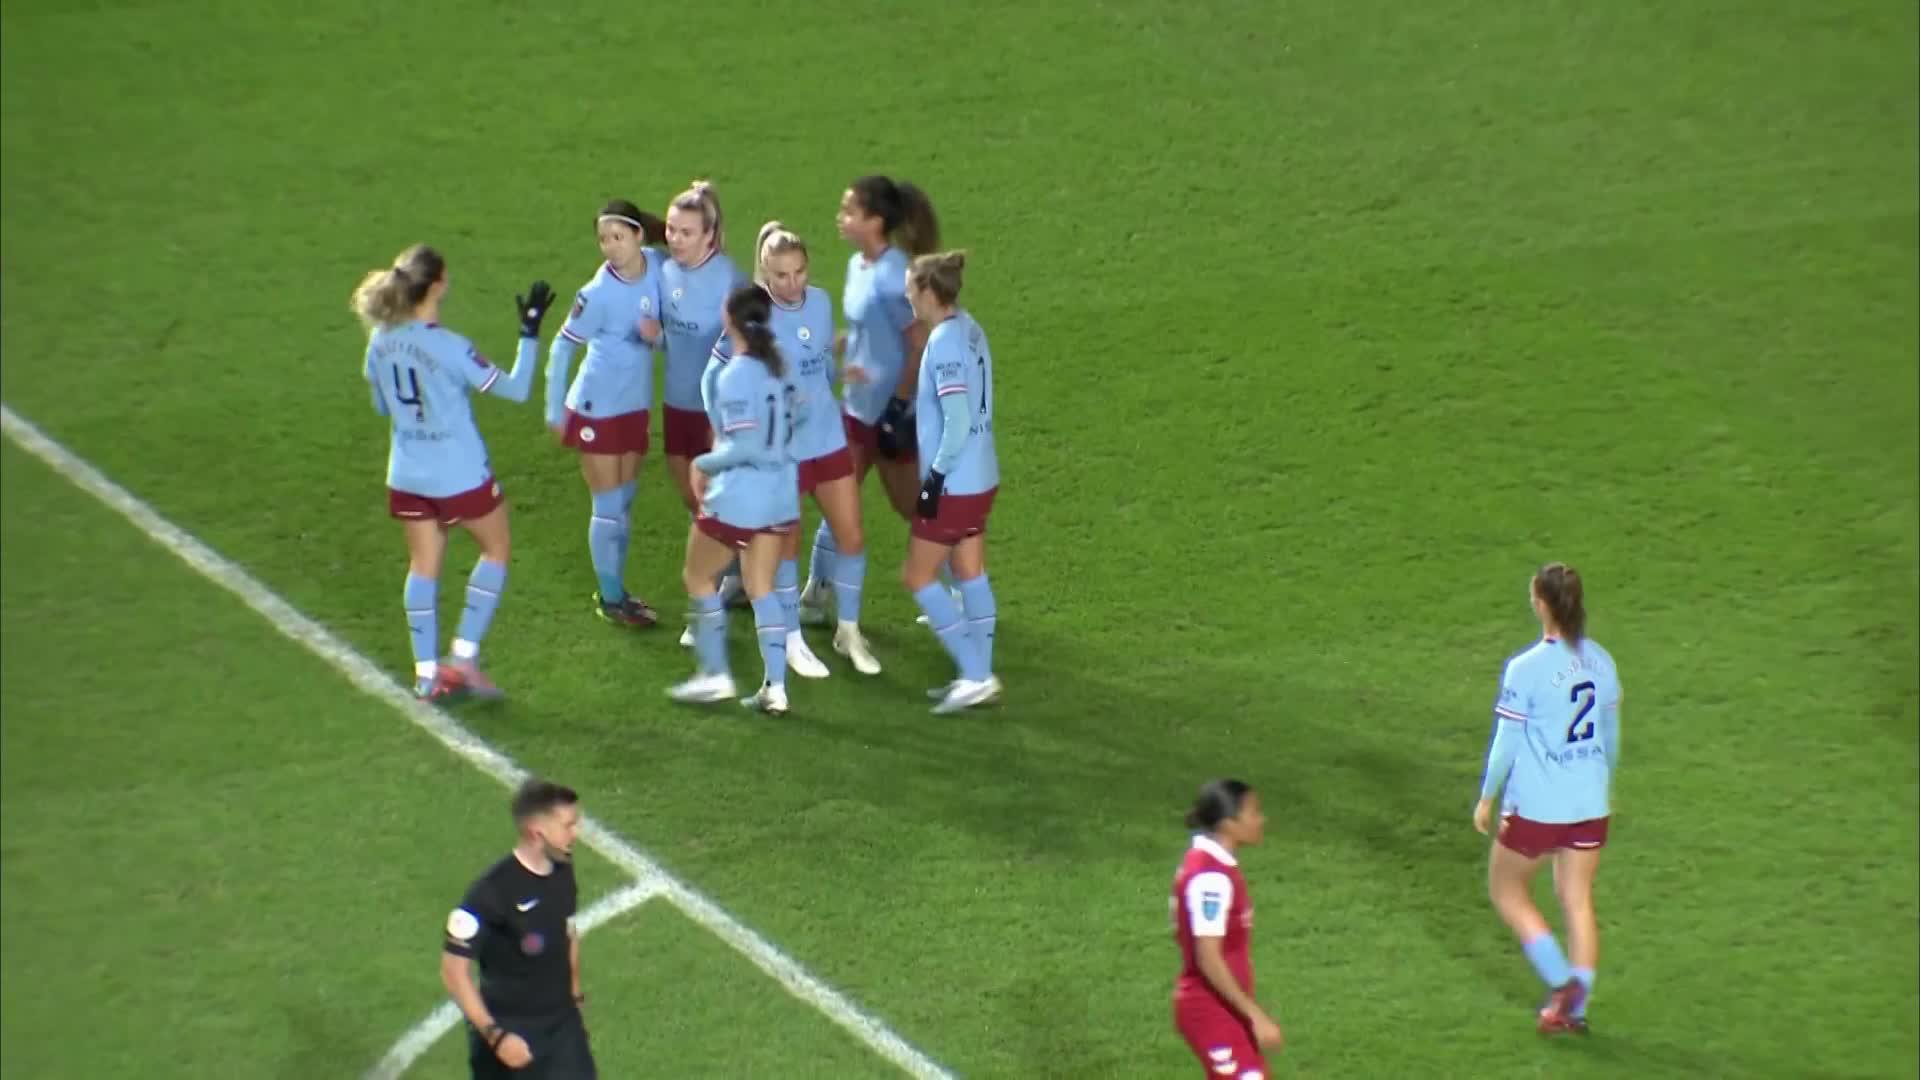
(437, 468)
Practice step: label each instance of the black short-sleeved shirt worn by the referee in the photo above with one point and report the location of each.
(516, 923)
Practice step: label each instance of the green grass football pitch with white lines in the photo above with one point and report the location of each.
(1316, 326)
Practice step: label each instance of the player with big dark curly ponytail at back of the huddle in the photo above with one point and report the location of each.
(888, 222)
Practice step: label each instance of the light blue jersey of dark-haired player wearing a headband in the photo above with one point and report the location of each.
(617, 374)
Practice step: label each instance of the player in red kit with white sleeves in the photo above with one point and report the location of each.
(1214, 1004)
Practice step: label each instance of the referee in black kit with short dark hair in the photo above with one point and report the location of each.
(517, 920)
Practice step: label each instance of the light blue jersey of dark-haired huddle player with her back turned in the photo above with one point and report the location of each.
(752, 424)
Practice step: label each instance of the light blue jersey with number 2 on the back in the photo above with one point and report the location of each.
(1568, 700)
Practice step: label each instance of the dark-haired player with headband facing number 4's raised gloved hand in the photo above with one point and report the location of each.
(606, 414)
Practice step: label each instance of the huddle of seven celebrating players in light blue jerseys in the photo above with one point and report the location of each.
(752, 424)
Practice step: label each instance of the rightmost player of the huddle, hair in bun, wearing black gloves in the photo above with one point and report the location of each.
(959, 478)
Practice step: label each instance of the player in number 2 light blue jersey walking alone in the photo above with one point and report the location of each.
(1556, 747)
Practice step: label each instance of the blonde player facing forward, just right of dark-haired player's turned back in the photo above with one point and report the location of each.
(804, 326)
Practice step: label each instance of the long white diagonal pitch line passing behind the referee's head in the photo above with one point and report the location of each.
(477, 752)
